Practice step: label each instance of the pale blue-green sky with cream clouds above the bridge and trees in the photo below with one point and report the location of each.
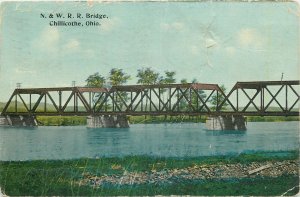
(214, 42)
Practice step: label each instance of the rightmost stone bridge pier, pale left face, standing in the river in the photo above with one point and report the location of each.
(229, 122)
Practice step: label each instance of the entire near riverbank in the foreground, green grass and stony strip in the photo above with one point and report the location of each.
(262, 173)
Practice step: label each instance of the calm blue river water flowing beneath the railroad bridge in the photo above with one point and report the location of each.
(179, 140)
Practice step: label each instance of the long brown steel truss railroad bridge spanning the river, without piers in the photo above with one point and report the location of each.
(258, 98)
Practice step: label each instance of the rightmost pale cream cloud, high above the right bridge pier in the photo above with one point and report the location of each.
(249, 37)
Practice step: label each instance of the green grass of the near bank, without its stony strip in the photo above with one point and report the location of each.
(62, 177)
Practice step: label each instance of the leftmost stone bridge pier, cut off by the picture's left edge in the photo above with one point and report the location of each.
(18, 121)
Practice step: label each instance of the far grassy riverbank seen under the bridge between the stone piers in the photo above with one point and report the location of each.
(78, 120)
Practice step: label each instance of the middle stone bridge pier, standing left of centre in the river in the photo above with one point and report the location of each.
(107, 121)
